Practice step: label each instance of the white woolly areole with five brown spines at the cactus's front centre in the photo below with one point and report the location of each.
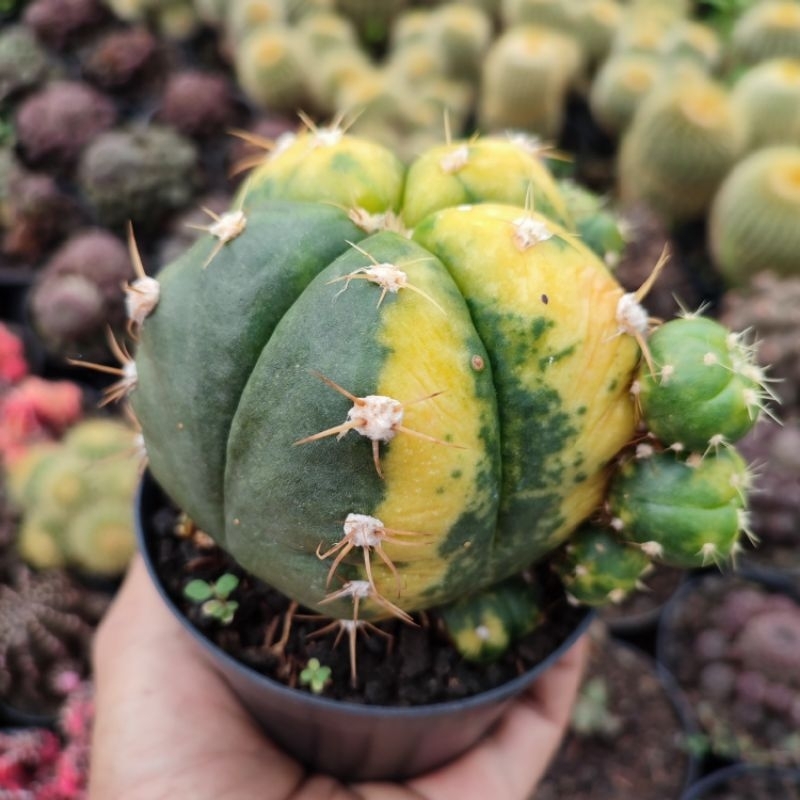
(377, 417)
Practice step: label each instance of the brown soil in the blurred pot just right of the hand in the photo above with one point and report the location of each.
(644, 759)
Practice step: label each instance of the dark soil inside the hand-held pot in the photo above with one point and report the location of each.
(409, 666)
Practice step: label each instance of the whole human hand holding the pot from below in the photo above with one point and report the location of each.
(168, 726)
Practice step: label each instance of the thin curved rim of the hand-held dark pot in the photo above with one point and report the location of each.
(148, 488)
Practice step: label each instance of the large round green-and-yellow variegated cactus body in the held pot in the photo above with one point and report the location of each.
(380, 403)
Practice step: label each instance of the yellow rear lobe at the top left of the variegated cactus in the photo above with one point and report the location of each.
(329, 166)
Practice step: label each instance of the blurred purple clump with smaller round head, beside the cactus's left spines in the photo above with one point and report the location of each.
(78, 293)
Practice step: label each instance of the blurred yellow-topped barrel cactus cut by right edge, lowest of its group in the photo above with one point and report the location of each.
(753, 219)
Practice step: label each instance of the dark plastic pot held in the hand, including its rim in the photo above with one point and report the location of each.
(346, 739)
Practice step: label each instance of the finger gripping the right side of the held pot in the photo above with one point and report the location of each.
(513, 758)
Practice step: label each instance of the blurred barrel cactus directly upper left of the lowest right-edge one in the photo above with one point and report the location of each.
(682, 142)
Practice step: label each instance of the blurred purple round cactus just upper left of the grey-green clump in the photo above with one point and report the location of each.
(57, 122)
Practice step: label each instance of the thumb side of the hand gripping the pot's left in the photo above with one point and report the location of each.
(165, 718)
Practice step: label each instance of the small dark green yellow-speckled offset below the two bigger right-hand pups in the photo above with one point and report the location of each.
(597, 567)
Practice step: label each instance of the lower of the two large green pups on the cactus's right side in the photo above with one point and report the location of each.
(686, 514)
